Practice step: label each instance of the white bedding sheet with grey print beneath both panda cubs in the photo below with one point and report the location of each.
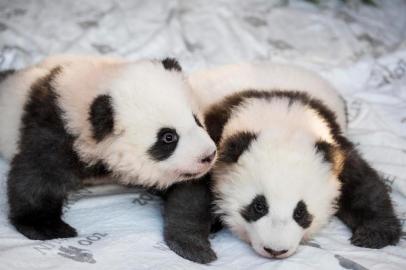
(360, 49)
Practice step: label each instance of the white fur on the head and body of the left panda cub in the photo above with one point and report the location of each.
(145, 96)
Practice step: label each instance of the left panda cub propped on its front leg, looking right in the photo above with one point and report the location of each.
(68, 119)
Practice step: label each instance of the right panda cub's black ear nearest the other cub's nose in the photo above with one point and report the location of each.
(235, 145)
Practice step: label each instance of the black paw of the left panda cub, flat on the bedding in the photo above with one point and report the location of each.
(50, 230)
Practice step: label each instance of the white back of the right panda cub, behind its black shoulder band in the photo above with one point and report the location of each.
(213, 85)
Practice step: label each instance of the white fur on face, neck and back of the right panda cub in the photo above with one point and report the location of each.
(282, 163)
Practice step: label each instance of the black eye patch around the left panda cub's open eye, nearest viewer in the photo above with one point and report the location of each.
(166, 142)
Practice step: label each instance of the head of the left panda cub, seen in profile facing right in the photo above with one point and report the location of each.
(142, 125)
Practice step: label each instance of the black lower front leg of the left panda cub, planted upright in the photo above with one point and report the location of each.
(38, 183)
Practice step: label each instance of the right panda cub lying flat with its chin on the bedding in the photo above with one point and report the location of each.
(285, 165)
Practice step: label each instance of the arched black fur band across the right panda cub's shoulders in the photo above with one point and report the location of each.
(218, 115)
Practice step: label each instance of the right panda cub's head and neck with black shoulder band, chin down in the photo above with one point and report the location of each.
(276, 178)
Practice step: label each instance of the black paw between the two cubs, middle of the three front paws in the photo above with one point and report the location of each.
(191, 248)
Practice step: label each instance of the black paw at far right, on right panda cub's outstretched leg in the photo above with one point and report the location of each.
(376, 236)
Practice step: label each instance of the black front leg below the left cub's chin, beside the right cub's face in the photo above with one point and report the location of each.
(187, 220)
